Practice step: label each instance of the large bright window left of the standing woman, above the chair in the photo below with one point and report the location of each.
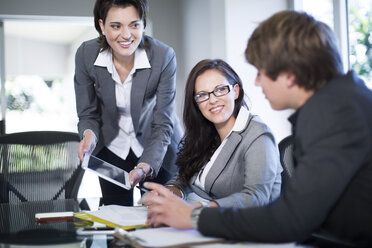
(39, 59)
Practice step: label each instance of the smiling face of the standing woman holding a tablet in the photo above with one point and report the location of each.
(123, 30)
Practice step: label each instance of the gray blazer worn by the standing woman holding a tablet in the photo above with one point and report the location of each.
(152, 102)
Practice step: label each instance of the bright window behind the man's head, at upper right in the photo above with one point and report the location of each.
(352, 23)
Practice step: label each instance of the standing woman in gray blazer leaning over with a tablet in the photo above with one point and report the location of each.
(125, 95)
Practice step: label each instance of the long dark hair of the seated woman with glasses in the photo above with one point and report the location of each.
(201, 138)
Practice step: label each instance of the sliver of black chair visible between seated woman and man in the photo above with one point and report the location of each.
(286, 158)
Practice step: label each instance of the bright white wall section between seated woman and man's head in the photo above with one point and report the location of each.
(242, 17)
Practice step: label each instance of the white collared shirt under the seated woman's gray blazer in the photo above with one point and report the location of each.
(239, 125)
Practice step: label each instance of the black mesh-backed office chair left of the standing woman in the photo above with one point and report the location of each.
(39, 165)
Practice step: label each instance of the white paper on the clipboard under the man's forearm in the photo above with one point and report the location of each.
(169, 237)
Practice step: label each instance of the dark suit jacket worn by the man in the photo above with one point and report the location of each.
(331, 189)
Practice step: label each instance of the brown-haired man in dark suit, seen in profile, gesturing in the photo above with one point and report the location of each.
(299, 67)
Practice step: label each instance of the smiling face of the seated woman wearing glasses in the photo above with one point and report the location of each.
(218, 110)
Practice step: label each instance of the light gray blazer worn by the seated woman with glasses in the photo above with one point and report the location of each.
(246, 173)
